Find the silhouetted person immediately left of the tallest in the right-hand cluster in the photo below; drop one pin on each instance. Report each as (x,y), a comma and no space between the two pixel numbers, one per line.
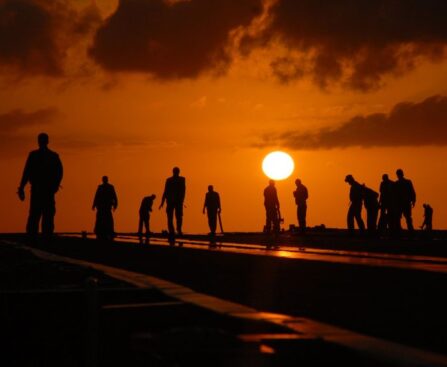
(387,202)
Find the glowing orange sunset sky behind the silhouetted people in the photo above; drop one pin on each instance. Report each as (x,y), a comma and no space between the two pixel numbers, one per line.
(135,125)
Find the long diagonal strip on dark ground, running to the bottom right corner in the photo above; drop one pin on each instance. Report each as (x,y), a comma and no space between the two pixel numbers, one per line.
(378,349)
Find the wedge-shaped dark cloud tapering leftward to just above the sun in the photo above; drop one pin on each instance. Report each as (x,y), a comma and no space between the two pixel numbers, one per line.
(408,124)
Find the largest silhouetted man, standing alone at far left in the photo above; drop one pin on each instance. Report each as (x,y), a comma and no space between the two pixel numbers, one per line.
(44,171)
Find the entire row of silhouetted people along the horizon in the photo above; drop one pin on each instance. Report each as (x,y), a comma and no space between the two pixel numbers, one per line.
(44,171)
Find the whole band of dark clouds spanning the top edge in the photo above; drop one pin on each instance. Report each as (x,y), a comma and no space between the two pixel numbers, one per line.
(356,44)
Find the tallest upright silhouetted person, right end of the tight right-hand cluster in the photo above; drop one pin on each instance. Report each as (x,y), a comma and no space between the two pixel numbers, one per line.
(406,199)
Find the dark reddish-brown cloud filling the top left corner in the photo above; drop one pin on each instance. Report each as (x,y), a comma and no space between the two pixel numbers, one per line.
(36,34)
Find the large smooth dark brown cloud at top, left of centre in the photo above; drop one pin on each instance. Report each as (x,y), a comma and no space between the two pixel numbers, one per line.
(176,39)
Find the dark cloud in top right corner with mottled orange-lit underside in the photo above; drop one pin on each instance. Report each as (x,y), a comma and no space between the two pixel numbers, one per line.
(354,42)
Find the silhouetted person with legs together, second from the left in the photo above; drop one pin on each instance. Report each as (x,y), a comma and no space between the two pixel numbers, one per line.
(105,200)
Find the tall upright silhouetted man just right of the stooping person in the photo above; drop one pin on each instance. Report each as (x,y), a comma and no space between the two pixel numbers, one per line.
(174,195)
